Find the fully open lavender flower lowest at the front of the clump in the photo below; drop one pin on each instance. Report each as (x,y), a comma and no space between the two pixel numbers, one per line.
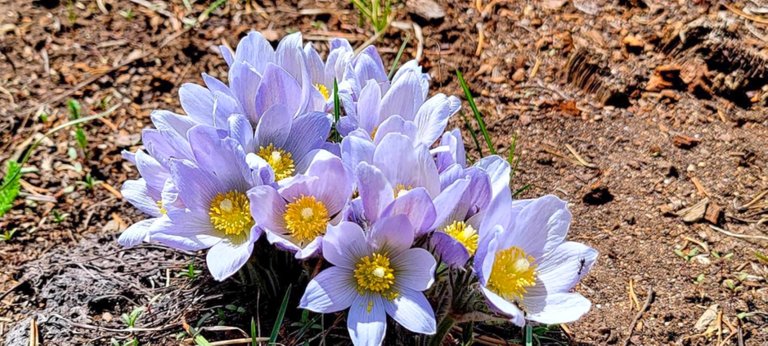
(374,274)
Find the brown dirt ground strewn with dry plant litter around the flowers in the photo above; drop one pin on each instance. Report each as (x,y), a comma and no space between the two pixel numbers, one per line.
(648,117)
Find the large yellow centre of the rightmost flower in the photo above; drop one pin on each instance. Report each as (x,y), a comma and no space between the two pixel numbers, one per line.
(513,271)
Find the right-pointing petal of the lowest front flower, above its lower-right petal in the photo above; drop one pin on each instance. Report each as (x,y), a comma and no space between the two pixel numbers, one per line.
(415,269)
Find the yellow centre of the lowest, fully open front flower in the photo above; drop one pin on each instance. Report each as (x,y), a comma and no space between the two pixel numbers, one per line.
(375,275)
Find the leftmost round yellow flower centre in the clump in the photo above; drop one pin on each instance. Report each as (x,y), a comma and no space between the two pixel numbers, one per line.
(231,213)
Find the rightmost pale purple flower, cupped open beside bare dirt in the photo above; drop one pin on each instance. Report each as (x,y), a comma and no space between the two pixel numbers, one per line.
(525,267)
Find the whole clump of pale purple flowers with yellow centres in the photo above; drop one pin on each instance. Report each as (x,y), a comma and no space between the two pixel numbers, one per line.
(379,196)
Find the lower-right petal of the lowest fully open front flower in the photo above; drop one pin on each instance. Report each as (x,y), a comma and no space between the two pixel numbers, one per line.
(412,310)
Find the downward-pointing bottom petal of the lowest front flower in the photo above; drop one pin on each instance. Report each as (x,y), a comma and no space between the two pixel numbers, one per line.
(367,320)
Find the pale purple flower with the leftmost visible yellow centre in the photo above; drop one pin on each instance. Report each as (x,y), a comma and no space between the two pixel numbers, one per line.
(217,210)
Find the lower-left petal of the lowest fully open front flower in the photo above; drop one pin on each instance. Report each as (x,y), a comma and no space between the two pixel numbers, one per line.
(330,291)
